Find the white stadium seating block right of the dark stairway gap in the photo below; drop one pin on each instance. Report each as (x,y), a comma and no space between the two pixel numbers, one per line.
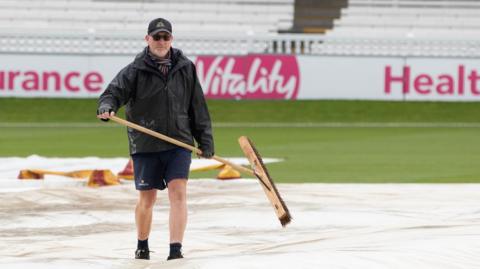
(405,27)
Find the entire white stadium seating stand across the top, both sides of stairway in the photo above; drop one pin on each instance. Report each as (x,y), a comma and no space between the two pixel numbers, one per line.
(363,27)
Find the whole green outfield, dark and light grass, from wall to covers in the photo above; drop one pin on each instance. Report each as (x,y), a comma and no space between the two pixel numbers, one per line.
(321,141)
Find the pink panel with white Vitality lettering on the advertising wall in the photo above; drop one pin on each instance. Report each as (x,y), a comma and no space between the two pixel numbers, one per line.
(249,77)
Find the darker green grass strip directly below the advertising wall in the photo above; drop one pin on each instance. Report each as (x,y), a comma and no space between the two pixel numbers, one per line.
(83,110)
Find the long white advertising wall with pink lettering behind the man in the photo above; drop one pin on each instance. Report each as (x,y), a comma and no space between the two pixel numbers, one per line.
(258,77)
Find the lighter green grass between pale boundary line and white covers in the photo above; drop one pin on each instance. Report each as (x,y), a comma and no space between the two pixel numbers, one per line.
(310,154)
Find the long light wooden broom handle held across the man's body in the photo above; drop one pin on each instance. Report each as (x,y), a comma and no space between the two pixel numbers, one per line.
(178,143)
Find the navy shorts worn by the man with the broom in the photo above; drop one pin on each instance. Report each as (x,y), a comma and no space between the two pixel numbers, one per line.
(153,170)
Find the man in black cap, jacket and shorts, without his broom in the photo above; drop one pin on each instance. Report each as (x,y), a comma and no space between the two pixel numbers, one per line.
(161,92)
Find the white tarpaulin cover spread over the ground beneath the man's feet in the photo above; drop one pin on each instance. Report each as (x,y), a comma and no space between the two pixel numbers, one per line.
(232,225)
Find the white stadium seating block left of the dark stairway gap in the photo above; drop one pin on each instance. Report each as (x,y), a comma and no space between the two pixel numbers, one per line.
(118,26)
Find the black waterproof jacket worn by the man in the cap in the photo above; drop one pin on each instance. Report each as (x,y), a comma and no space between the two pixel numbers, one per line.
(173,105)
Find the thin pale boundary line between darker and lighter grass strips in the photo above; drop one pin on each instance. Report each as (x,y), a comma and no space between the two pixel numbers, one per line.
(263,125)
